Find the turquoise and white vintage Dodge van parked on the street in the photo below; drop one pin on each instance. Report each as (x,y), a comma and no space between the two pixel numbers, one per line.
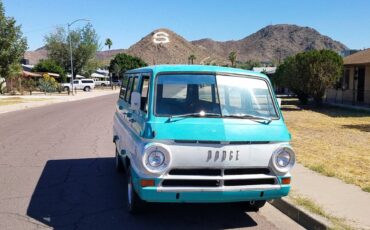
(190,133)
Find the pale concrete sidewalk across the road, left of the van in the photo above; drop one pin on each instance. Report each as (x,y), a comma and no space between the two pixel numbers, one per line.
(47,100)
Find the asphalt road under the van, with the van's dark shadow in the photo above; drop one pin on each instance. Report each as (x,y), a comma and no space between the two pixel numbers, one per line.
(57,171)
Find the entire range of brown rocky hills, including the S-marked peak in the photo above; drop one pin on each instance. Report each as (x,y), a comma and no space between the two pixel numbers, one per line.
(271,43)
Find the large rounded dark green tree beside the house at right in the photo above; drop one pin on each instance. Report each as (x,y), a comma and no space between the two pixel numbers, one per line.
(310,73)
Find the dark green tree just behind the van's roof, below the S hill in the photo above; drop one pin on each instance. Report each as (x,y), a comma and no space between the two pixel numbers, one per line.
(123,62)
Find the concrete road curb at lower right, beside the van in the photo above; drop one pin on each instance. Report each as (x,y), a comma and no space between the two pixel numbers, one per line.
(303,217)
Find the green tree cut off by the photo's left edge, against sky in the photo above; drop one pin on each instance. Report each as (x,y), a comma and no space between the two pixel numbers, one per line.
(12,43)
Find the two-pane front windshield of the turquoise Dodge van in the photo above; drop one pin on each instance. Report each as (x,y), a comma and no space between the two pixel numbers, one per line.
(227,96)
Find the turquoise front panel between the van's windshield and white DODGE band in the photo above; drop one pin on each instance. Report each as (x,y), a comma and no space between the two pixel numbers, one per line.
(213,129)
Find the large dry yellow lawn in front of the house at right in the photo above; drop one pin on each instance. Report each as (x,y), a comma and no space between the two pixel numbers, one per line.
(332,141)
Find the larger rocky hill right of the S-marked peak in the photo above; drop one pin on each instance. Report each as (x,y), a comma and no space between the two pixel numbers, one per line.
(273,43)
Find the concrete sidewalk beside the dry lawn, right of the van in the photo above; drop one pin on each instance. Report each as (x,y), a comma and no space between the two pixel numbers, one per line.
(334,196)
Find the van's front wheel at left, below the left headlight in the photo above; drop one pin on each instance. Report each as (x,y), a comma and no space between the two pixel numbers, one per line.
(134,203)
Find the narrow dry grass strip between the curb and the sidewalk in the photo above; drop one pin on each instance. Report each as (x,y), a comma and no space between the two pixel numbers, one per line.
(311,206)
